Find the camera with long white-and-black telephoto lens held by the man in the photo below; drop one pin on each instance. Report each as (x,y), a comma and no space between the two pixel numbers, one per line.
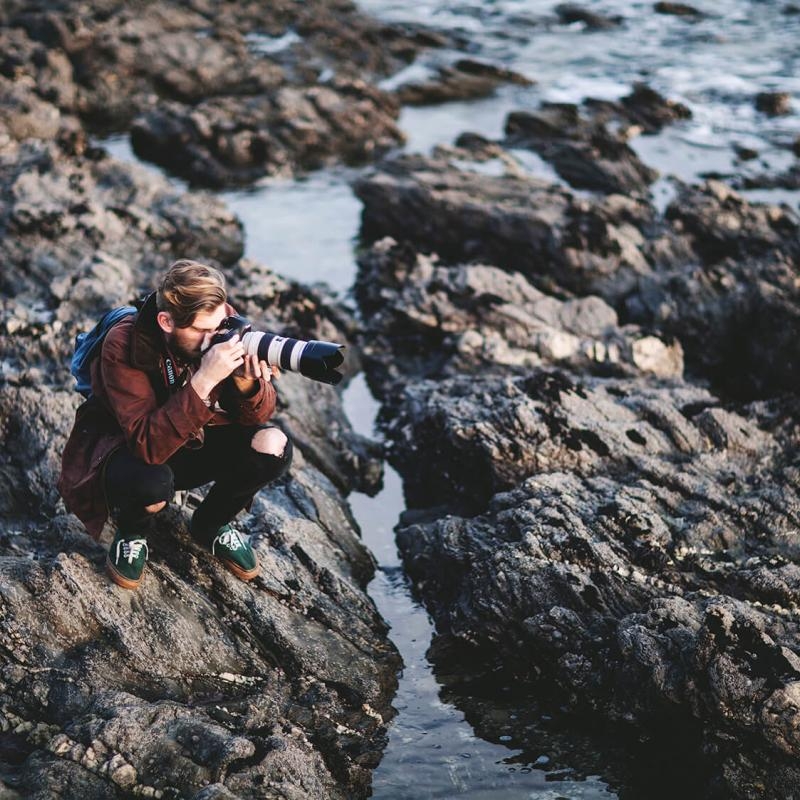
(316,360)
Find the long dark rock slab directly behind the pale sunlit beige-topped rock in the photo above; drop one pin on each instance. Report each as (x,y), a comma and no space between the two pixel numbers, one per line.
(514,222)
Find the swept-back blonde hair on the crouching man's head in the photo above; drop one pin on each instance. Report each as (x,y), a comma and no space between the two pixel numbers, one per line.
(188,288)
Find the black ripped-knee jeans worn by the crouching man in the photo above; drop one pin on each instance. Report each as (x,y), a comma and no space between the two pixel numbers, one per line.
(226,457)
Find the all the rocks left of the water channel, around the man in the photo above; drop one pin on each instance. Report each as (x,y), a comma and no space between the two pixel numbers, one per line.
(196,685)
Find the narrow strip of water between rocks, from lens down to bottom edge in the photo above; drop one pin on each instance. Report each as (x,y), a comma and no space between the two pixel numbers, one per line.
(433,752)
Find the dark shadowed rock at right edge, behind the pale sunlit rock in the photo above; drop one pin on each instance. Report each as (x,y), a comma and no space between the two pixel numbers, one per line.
(734,306)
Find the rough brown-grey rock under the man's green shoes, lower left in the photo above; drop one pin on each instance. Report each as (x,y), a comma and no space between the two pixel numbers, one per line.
(274,689)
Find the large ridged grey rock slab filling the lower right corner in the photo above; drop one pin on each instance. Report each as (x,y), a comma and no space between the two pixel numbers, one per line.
(635,594)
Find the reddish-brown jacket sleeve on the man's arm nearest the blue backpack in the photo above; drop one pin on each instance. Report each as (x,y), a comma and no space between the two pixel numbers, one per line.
(153,433)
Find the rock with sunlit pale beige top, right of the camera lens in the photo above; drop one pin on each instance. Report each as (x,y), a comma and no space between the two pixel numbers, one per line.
(430,320)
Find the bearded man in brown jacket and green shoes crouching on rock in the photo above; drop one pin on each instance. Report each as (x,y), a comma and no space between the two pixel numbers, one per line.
(168,412)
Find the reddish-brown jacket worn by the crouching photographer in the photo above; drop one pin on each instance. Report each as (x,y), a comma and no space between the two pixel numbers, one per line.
(139,402)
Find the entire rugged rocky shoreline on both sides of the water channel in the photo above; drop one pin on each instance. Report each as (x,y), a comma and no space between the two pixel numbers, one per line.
(592,402)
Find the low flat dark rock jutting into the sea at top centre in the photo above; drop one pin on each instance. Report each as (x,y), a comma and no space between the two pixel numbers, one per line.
(466,79)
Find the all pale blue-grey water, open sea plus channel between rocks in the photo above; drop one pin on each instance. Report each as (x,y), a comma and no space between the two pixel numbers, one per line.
(307,229)
